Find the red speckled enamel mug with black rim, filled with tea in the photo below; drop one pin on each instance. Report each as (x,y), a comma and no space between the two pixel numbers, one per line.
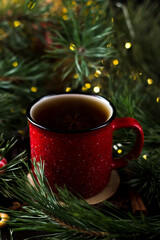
(80,159)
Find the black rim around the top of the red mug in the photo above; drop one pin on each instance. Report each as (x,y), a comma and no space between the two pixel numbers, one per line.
(31,120)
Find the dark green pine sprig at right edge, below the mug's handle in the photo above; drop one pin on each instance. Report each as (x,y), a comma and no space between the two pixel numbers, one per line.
(145,177)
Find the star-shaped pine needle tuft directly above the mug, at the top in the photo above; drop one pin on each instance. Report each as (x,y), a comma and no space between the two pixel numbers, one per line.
(80,43)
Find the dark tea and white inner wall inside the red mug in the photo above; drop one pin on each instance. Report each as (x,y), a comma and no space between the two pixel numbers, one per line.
(72,112)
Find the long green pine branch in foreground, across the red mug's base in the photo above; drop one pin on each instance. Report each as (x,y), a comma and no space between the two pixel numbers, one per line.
(65,216)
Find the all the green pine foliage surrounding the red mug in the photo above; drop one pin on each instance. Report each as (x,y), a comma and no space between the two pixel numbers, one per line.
(50,50)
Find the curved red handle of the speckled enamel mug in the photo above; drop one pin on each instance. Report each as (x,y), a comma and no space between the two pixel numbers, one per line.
(128,122)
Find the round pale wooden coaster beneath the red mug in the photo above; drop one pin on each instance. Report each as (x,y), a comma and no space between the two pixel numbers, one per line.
(106,193)
